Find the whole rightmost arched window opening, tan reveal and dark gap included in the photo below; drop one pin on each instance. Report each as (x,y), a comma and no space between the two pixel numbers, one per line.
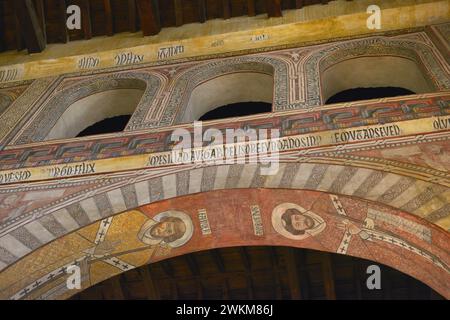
(372,77)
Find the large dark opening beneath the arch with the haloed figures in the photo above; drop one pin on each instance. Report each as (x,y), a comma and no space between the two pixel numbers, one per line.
(258,273)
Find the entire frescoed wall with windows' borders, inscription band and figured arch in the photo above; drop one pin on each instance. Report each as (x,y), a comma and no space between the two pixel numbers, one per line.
(367,178)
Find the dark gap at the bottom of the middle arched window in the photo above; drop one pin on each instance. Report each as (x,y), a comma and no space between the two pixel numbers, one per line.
(237,110)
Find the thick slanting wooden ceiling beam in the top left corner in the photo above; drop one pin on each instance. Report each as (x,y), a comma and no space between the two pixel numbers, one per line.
(30,26)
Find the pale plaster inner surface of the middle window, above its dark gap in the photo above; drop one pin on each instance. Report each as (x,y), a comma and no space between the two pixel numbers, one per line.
(228,89)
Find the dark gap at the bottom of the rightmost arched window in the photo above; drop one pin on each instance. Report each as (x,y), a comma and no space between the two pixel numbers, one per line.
(367,93)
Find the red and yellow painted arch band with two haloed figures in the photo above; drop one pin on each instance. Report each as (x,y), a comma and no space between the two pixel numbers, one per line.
(340,224)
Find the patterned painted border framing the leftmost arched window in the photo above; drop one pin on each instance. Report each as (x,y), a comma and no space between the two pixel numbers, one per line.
(39,127)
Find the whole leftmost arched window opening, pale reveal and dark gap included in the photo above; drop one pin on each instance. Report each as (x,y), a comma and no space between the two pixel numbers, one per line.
(95,108)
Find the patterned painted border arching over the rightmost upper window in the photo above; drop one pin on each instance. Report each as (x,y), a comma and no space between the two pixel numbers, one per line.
(420,56)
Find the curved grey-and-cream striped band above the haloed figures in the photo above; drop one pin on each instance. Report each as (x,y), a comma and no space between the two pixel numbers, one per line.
(422,198)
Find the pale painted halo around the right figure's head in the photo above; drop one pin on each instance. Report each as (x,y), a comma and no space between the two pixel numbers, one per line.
(278,223)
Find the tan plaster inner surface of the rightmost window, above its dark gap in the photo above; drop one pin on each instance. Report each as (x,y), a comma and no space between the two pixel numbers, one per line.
(366,72)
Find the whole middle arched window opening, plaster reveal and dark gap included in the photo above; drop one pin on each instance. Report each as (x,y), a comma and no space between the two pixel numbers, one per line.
(235,94)
